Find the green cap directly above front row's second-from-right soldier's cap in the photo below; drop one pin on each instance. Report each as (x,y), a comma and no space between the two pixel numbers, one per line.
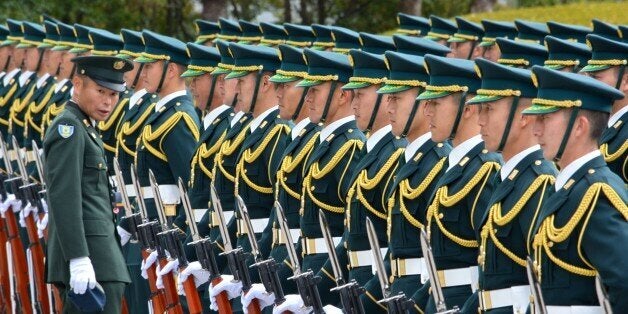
(520,54)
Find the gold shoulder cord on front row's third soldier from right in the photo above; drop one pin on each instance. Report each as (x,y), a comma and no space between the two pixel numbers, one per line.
(442,198)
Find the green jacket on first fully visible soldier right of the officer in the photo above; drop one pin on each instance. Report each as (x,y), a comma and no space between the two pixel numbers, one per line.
(166,146)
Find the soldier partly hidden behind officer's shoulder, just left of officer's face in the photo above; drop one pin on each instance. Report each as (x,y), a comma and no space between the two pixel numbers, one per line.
(54,106)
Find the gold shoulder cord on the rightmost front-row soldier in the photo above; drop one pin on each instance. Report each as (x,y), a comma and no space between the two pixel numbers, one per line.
(549,234)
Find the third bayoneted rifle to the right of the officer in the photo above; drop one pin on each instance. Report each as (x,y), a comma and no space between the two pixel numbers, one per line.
(170,287)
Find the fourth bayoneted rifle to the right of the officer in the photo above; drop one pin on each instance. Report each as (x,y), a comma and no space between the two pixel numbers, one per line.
(191,294)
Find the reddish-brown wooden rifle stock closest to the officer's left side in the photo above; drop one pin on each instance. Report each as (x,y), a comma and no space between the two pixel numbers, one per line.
(37,253)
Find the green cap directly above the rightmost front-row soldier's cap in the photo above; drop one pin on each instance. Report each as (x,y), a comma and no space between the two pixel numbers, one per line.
(566,55)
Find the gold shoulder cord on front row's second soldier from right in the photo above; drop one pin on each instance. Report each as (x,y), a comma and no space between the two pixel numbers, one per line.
(496,219)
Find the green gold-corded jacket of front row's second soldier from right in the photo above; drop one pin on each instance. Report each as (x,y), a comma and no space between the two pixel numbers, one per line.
(506,226)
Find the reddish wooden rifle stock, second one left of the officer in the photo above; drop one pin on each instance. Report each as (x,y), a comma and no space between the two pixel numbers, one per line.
(19,262)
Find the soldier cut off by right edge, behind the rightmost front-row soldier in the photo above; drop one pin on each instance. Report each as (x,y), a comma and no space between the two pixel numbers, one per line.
(608,64)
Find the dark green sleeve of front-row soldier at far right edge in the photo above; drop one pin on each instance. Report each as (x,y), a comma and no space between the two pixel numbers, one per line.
(604,245)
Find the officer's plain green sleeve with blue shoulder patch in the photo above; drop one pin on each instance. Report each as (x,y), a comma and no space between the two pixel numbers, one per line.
(64,171)
